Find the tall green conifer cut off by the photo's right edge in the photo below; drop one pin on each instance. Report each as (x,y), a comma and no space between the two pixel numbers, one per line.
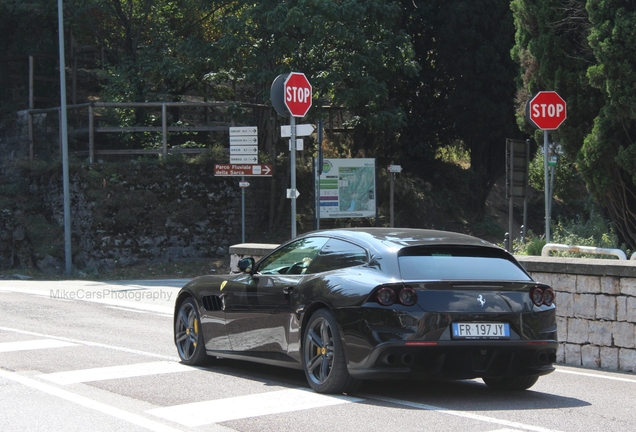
(608,156)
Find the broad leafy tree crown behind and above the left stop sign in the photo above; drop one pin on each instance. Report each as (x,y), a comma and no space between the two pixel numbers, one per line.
(352,52)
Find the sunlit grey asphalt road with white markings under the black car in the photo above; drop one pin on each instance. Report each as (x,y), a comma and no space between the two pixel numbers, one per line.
(92,356)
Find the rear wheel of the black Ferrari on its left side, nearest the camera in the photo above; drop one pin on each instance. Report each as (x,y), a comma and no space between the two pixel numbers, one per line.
(323,356)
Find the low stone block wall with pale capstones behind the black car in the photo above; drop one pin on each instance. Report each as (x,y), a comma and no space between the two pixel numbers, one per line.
(596,305)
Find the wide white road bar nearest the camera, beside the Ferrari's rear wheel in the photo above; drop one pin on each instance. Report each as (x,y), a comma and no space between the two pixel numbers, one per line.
(235,408)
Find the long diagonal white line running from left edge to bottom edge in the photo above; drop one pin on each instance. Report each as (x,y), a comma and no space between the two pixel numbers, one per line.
(88,403)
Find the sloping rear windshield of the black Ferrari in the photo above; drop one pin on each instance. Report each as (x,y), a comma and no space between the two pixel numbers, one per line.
(458,263)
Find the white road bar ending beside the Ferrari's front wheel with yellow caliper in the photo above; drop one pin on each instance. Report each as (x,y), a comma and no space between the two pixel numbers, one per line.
(116,372)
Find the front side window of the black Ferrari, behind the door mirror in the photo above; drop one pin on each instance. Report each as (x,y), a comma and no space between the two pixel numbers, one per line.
(293,258)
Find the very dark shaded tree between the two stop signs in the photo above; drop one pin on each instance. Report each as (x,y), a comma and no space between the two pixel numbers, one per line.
(465,92)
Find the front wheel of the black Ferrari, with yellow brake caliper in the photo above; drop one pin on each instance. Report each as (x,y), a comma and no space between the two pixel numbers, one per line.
(188,335)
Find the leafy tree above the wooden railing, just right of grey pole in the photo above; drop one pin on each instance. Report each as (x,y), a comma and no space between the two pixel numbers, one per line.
(152,46)
